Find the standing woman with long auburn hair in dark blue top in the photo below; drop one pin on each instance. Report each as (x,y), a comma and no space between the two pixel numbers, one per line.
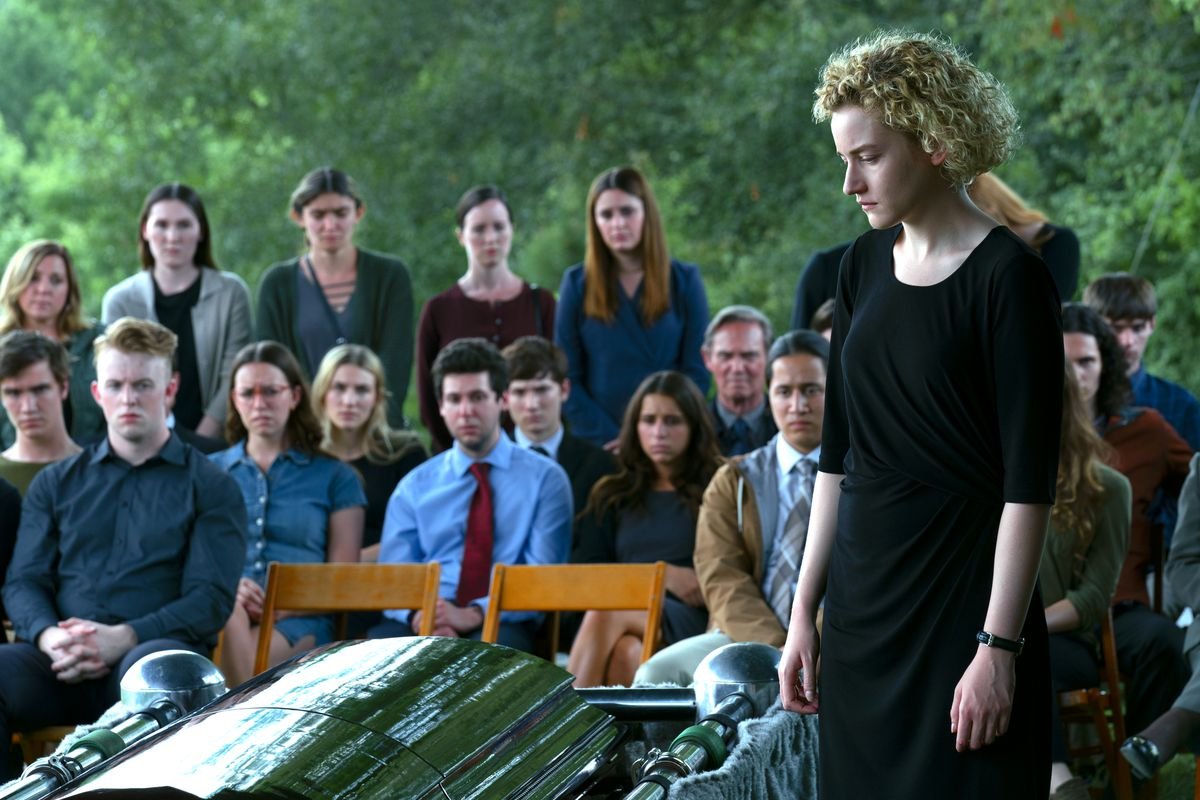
(628,310)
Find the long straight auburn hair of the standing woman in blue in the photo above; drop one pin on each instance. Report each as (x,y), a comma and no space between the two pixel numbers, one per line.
(599,266)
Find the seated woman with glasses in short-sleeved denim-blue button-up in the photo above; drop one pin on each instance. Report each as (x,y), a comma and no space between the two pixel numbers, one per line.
(303,507)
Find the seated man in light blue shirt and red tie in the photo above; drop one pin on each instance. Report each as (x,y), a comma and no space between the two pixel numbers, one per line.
(520,498)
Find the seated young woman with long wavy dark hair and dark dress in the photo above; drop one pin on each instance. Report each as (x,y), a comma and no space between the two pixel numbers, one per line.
(647,513)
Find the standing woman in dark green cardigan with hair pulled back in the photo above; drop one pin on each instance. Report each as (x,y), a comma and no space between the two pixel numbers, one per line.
(337,293)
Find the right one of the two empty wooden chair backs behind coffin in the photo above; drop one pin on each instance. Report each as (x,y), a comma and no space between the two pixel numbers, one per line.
(578,588)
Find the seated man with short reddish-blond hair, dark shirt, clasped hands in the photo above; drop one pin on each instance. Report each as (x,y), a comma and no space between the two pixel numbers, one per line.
(133,546)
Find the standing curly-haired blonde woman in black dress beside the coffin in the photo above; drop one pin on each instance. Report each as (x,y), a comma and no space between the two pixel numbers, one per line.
(939,455)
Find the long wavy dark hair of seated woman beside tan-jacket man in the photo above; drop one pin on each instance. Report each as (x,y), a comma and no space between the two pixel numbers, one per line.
(635,477)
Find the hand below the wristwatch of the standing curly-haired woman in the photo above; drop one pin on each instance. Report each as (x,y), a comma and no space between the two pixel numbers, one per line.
(983,700)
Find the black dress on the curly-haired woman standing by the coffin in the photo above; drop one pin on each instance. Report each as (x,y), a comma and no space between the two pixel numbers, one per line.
(944,404)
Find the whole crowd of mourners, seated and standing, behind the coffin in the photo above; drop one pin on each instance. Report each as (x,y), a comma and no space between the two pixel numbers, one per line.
(158,464)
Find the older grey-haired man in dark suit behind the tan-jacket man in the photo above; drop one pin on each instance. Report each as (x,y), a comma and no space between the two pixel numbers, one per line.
(735,351)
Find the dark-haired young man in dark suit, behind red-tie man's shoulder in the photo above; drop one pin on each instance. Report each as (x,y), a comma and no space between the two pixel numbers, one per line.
(538,387)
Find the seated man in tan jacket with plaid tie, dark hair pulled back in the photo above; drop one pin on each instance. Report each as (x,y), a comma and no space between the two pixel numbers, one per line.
(754,518)
